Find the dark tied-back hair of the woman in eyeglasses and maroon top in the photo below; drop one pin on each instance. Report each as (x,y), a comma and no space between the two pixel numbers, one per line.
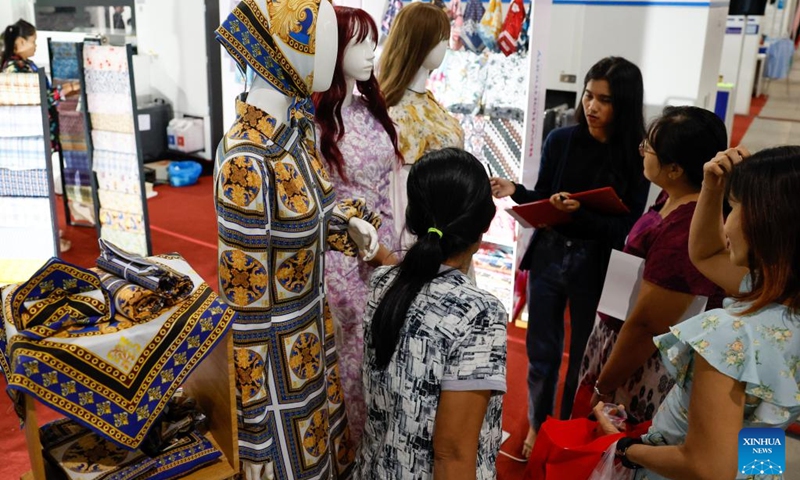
(688,137)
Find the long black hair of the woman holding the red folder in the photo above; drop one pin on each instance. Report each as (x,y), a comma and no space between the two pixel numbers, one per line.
(627,130)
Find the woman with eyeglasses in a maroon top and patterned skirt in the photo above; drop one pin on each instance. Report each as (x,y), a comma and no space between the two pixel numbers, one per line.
(621,363)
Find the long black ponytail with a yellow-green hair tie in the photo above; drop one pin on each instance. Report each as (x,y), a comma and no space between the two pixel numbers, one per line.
(448,190)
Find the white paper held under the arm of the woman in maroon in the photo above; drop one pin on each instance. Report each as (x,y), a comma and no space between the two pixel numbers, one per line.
(621,288)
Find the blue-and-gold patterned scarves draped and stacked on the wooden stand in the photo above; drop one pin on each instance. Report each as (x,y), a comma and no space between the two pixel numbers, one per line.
(110,360)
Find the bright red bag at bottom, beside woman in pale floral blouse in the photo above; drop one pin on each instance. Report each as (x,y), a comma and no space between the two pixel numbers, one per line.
(570,449)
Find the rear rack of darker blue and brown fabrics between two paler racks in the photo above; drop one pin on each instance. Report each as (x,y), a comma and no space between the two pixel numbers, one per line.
(76,171)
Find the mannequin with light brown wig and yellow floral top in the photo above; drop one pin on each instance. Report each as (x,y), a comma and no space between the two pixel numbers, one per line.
(416,45)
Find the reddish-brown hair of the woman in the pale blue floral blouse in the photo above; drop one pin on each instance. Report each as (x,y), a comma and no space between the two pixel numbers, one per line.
(766,185)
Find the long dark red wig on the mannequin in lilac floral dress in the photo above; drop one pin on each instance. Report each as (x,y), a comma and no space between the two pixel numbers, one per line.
(358,24)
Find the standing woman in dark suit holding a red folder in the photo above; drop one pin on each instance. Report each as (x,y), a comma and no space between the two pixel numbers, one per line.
(568,262)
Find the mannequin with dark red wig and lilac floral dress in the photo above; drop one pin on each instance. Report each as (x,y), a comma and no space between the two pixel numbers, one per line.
(358,141)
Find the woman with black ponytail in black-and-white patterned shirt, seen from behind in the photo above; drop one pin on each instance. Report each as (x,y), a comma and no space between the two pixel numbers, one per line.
(435,344)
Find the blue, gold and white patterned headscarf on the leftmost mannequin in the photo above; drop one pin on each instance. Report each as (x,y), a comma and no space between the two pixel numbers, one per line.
(279,48)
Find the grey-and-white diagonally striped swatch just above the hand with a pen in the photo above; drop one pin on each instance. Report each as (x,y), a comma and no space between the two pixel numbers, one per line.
(503,147)
